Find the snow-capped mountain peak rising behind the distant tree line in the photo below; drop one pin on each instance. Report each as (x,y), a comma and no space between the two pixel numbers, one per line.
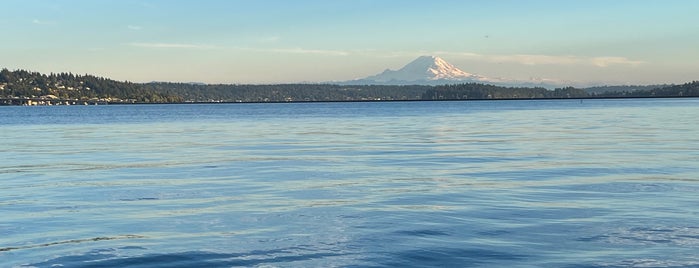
(423,70)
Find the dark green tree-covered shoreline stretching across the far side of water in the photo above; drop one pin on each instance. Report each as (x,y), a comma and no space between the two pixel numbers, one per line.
(21,87)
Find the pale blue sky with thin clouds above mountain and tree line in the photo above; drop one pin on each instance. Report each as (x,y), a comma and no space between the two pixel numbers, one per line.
(579,42)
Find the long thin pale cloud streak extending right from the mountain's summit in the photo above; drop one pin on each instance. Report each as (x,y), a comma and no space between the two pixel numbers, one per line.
(538,59)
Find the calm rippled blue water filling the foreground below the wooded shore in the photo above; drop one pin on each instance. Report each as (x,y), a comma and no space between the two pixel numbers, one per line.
(599,183)
